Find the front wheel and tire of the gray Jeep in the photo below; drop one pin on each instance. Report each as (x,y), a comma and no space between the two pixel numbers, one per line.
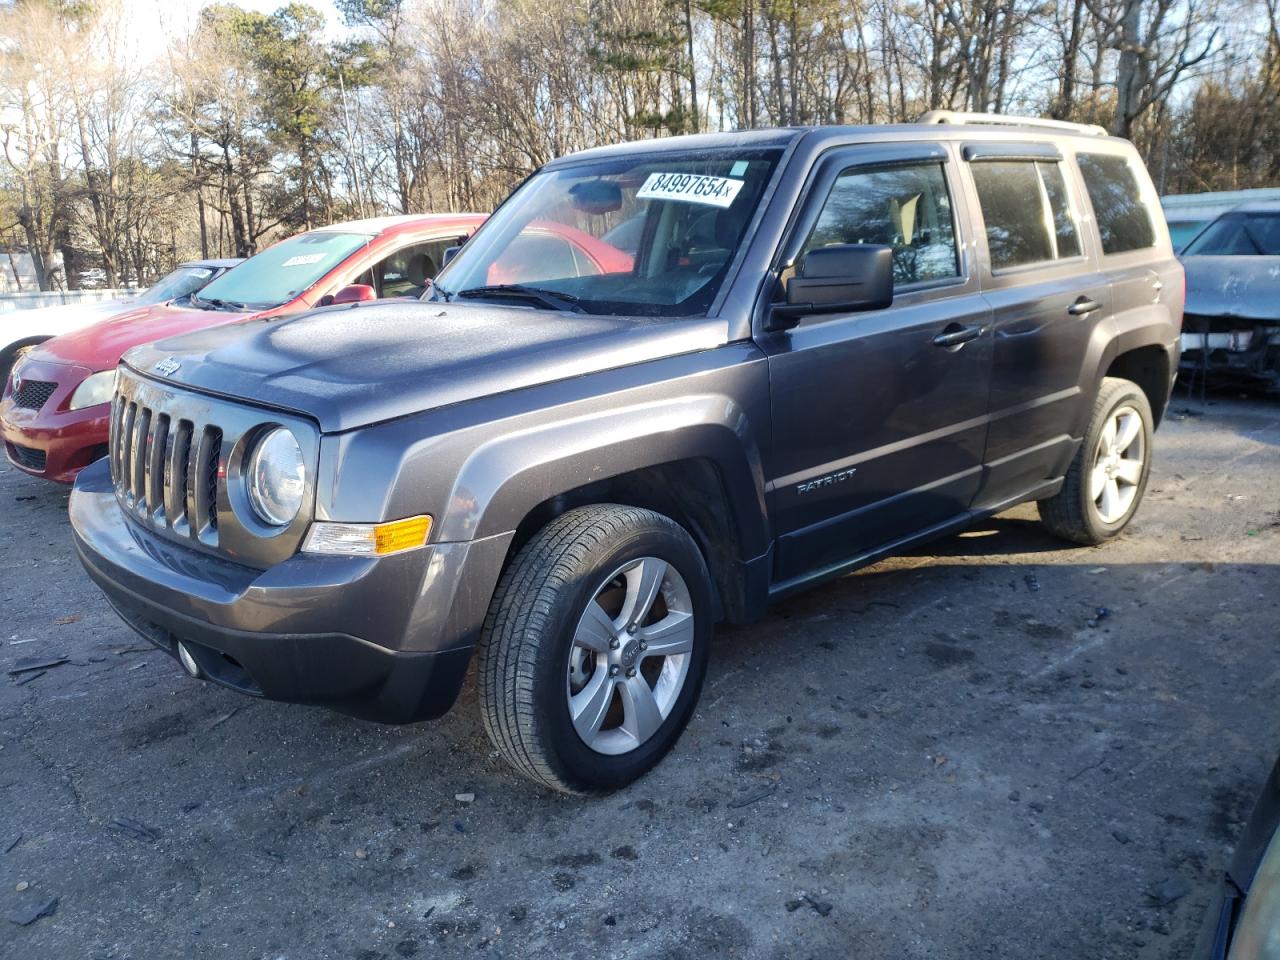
(546,651)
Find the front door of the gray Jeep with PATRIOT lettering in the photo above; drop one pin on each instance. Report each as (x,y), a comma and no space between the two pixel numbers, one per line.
(879,429)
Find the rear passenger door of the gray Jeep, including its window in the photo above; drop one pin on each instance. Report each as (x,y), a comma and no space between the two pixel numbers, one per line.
(1041,276)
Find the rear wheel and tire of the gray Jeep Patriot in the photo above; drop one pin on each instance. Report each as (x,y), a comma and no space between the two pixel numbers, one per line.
(1084,511)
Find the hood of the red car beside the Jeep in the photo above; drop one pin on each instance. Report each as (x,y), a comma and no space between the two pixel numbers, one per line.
(100,346)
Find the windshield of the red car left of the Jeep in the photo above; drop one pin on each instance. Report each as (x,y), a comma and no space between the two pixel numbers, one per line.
(281,273)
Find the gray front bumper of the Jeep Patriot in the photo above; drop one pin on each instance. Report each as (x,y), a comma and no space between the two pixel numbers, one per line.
(336,632)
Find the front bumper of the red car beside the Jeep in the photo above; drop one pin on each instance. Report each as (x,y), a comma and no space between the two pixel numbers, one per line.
(54,444)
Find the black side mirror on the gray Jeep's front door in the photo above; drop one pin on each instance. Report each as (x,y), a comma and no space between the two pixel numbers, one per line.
(844,278)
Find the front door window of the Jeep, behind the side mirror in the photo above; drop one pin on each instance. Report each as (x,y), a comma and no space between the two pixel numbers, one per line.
(907,208)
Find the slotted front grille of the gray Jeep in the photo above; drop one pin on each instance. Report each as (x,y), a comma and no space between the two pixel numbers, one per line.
(166,469)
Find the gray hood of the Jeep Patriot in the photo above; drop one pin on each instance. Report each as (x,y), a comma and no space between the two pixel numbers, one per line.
(351,367)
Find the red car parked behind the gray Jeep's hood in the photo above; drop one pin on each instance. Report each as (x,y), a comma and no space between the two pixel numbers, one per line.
(57,401)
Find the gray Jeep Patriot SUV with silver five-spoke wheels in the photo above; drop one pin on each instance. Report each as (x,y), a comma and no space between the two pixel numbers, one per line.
(665,385)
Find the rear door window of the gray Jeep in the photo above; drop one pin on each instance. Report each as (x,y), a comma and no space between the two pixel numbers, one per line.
(1026,211)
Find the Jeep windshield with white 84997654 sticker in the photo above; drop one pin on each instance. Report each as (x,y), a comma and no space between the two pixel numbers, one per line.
(650,235)
